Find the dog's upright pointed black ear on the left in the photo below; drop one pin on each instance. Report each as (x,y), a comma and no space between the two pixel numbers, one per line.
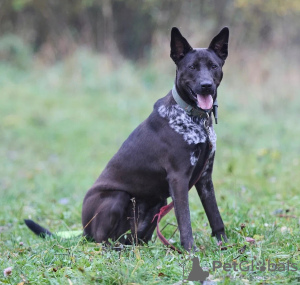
(179,45)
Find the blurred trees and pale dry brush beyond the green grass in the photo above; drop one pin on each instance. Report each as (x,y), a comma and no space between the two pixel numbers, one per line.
(264,42)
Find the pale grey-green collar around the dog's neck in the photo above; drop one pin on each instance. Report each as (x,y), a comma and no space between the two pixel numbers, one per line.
(190,110)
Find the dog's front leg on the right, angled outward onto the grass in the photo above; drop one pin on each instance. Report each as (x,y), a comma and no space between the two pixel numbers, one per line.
(205,189)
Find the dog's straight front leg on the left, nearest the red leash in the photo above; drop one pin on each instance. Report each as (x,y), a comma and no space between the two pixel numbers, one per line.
(179,194)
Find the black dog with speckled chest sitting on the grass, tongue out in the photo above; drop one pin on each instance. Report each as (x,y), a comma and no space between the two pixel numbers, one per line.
(172,150)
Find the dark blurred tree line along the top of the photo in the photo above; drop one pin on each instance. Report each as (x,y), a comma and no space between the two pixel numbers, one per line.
(53,28)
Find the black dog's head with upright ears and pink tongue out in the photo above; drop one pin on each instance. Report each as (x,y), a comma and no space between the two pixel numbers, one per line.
(199,70)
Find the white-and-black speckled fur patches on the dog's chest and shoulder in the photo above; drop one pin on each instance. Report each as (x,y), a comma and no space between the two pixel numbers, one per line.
(191,128)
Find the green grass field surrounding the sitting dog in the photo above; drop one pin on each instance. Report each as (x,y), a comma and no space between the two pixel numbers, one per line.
(59,127)
